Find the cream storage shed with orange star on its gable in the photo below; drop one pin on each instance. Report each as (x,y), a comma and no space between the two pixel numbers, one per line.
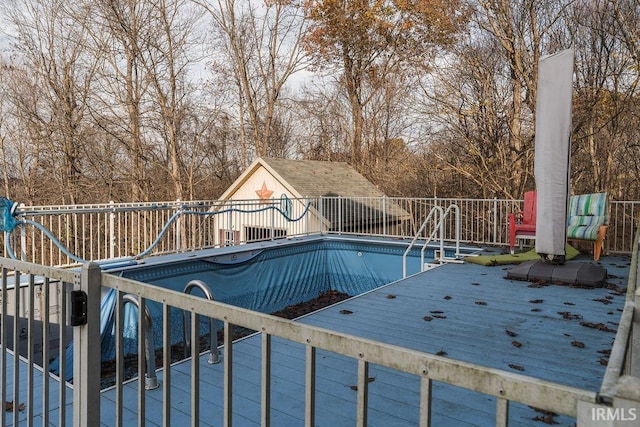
(309,196)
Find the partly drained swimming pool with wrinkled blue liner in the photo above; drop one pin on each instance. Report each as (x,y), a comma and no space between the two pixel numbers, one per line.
(263,276)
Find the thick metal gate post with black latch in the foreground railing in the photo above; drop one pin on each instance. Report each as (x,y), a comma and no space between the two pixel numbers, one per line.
(86,350)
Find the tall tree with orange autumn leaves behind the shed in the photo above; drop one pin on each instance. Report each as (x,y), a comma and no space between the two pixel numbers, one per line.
(370,41)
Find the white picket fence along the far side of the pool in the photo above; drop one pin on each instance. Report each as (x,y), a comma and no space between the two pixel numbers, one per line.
(116,230)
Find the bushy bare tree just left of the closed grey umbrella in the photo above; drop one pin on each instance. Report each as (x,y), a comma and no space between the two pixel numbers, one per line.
(469,99)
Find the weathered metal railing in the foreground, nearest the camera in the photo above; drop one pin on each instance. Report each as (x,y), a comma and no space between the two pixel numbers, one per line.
(52,398)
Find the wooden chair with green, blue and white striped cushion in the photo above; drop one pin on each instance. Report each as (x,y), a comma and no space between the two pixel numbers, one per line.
(589,219)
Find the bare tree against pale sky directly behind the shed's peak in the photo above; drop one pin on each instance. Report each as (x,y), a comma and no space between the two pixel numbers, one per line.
(262,45)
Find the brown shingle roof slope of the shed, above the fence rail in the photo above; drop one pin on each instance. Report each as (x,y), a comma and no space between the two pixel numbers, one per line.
(319,178)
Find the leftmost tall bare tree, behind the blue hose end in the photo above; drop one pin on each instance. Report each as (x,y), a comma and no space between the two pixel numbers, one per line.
(51,45)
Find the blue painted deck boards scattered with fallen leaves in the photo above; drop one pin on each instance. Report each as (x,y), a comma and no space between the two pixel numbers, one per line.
(470,332)
